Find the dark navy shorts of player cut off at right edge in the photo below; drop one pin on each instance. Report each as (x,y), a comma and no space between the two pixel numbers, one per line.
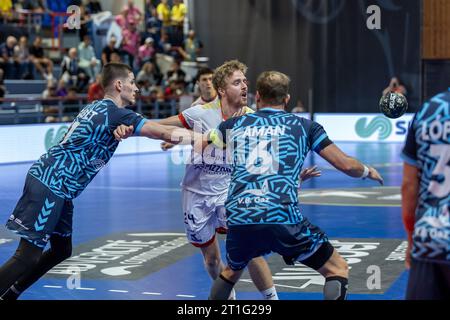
(428,281)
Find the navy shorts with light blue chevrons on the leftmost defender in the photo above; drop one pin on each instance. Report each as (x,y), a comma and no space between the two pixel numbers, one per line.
(40,213)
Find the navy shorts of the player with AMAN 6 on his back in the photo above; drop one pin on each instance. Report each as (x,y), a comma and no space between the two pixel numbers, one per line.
(303,242)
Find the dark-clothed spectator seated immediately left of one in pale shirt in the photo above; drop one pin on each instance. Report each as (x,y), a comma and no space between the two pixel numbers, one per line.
(72,73)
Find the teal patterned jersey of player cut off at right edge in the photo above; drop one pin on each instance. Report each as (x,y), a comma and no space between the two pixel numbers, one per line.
(428,148)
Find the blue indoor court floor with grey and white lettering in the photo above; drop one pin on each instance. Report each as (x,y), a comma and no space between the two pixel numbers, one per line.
(129,238)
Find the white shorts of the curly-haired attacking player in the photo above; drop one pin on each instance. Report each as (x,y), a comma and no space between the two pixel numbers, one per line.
(203,217)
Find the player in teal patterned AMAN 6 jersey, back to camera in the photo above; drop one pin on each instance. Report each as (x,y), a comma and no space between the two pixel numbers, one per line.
(267,150)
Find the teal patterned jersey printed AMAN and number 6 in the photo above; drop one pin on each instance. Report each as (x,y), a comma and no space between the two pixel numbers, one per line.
(266,150)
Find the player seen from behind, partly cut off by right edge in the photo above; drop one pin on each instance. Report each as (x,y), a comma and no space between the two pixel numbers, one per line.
(426,199)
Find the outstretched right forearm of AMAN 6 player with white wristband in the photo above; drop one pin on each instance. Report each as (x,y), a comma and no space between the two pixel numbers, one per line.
(347,164)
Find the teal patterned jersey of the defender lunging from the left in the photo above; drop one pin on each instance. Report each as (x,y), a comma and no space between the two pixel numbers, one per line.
(68,167)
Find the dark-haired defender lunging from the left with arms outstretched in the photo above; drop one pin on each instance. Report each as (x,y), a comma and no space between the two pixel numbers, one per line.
(44,212)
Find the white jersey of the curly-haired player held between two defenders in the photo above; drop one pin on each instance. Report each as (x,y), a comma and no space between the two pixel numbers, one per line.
(209,175)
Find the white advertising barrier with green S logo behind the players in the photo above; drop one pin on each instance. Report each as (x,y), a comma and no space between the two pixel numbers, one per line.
(21,143)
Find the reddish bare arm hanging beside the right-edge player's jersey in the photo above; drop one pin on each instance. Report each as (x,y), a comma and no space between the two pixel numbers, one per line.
(410,193)
